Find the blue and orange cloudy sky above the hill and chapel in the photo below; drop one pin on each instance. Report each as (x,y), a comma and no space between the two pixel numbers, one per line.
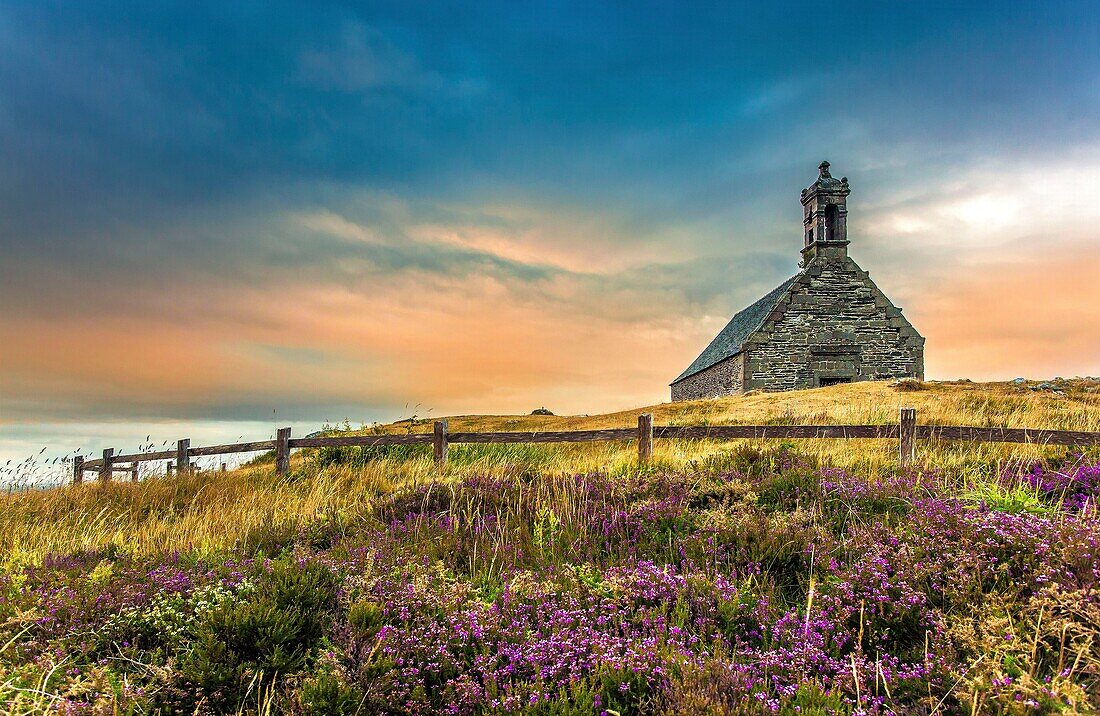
(221,217)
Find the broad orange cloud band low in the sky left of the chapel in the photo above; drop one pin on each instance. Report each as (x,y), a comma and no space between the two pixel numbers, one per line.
(455,345)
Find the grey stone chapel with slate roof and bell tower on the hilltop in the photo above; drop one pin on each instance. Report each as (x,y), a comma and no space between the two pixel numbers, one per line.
(830,324)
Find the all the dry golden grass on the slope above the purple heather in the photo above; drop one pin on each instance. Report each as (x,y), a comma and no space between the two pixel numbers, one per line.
(212,513)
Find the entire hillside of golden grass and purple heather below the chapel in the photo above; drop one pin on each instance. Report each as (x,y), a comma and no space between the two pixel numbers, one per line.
(727,578)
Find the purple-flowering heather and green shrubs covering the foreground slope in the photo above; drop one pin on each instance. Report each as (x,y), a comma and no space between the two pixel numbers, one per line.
(784,591)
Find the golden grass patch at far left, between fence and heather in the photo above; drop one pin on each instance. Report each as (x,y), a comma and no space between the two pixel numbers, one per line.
(205,513)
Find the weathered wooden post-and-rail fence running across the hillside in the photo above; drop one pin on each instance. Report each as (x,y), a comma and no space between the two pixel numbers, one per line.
(906,432)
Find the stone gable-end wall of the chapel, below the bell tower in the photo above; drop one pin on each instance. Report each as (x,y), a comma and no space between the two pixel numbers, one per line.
(835,325)
